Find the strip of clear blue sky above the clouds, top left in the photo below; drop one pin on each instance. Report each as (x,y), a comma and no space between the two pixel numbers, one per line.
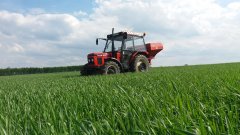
(59,6)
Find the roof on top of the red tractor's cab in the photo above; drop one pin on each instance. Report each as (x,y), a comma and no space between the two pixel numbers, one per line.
(125,35)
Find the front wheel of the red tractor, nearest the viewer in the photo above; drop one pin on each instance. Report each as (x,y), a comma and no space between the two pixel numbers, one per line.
(111,67)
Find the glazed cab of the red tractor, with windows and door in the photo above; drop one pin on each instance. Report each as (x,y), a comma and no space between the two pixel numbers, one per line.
(122,45)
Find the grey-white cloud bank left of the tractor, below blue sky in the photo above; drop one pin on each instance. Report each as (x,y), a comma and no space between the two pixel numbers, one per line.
(48,39)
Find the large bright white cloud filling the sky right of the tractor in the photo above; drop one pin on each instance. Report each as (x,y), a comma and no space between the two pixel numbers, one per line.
(199,31)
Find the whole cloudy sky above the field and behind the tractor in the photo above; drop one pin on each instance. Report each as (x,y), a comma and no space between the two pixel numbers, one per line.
(50,33)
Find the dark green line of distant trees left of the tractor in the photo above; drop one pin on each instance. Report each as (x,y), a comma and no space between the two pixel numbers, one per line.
(22,71)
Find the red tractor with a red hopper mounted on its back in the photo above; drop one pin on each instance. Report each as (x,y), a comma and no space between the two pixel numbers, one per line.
(123,52)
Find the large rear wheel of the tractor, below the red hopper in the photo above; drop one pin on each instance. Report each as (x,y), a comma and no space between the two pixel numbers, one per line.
(140,64)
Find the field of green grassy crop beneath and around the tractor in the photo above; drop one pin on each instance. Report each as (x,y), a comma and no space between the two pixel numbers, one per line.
(201,99)
